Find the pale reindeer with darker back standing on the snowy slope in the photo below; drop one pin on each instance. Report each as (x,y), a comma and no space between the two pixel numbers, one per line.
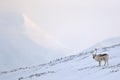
(101,57)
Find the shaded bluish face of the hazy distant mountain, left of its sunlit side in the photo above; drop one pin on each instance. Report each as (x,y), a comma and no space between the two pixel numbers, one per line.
(16,48)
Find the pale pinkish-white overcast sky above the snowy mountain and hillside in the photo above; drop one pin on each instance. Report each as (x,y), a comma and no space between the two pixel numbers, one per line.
(76,24)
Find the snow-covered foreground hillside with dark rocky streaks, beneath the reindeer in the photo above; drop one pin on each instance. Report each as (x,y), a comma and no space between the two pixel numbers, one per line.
(75,67)
